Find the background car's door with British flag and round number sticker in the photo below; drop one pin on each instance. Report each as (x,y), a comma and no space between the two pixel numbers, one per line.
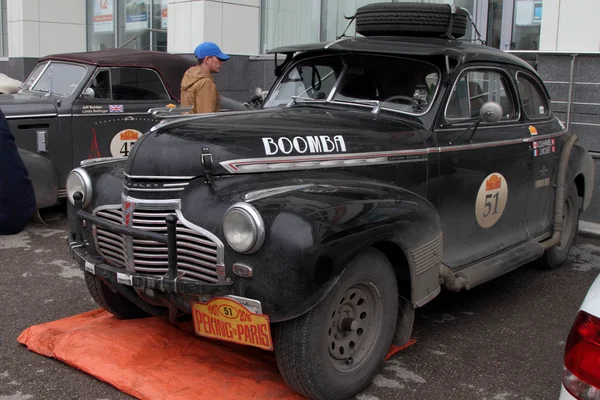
(113,114)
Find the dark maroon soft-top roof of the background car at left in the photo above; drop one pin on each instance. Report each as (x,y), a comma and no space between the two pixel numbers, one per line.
(170,67)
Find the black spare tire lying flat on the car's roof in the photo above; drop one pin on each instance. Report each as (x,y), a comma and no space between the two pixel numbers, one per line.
(399,19)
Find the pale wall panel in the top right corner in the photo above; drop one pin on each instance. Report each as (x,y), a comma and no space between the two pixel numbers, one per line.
(570,25)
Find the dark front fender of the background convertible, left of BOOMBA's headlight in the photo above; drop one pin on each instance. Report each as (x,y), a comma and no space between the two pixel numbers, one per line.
(43,178)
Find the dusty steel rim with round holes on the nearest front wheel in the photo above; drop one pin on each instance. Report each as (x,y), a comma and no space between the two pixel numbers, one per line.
(354,324)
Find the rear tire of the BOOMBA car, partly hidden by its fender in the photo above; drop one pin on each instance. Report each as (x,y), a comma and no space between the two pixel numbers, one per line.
(557,255)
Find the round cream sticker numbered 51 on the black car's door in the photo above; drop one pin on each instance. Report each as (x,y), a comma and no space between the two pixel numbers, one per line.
(491,200)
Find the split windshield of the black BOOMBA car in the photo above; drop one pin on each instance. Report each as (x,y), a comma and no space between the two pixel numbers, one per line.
(398,84)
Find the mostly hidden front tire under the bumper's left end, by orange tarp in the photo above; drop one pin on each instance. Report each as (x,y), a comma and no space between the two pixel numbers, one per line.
(111,301)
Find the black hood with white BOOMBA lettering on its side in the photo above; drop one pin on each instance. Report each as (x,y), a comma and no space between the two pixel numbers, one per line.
(248,141)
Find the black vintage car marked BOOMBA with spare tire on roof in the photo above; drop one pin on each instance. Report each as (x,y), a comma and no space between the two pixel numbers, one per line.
(381,169)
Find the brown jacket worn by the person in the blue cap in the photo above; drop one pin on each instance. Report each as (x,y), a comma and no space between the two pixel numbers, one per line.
(198,89)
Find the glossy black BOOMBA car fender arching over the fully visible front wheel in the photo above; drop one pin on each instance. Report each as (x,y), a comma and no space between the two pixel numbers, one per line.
(313,230)
